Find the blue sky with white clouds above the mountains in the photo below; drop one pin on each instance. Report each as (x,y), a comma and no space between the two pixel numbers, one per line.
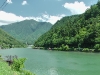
(41,10)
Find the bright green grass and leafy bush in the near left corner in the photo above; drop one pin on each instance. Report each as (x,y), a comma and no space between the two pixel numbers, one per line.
(17,68)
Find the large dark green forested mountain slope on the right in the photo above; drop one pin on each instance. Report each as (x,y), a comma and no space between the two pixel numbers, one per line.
(76,31)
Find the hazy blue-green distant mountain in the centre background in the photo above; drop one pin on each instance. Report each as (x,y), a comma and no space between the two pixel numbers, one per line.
(27,31)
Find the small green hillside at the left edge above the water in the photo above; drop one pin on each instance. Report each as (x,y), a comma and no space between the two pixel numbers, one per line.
(6,41)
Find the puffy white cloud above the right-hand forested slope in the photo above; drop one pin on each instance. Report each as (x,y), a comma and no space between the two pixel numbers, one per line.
(76,7)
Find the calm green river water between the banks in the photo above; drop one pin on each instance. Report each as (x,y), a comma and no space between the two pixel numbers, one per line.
(43,62)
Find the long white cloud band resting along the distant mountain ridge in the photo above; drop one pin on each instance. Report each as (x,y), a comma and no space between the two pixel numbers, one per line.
(8,18)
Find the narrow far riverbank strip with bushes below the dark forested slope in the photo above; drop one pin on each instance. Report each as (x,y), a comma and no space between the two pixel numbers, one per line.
(66,48)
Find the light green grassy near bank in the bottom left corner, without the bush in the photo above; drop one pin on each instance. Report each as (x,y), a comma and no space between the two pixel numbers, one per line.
(5,69)
